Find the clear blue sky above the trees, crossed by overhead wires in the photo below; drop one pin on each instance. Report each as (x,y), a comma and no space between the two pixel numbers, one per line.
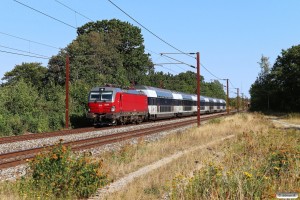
(230,35)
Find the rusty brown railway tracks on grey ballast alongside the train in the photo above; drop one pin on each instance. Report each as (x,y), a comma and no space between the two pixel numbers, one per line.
(12,159)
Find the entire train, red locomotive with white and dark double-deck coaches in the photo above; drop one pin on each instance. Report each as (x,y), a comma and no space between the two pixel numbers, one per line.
(109,105)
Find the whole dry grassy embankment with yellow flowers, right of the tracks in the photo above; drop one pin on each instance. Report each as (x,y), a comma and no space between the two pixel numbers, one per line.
(258,162)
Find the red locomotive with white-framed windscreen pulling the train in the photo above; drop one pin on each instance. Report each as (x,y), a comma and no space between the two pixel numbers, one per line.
(110,105)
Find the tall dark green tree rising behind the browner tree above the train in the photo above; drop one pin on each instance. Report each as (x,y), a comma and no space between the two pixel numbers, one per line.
(131,47)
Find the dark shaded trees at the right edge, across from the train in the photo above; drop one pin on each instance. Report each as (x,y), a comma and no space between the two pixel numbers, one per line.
(278,88)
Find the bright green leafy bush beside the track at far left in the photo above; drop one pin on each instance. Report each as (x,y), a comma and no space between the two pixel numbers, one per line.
(23,109)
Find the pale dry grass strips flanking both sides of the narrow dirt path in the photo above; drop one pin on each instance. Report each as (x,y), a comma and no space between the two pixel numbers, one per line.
(155,184)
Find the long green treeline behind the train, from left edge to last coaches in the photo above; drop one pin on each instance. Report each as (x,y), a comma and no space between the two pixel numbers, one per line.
(32,97)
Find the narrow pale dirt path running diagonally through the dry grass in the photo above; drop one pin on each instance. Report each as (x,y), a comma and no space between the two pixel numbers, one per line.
(121,183)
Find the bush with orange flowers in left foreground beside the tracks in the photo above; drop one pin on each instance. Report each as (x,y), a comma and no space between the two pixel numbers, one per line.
(60,174)
